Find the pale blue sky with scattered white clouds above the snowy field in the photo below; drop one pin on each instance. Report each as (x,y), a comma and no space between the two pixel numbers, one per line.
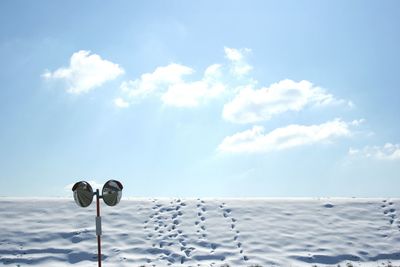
(205,98)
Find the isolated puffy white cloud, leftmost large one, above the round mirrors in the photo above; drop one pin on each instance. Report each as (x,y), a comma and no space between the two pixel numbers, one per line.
(85,72)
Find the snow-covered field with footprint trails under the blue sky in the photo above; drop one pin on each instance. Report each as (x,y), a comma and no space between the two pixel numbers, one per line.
(203,232)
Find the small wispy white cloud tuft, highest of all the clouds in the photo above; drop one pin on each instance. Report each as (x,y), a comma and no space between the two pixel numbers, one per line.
(239,66)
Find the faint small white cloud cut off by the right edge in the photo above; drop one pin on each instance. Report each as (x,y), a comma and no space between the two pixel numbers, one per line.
(386,152)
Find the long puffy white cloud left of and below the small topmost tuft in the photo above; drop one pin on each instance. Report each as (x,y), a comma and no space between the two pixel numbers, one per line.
(169,84)
